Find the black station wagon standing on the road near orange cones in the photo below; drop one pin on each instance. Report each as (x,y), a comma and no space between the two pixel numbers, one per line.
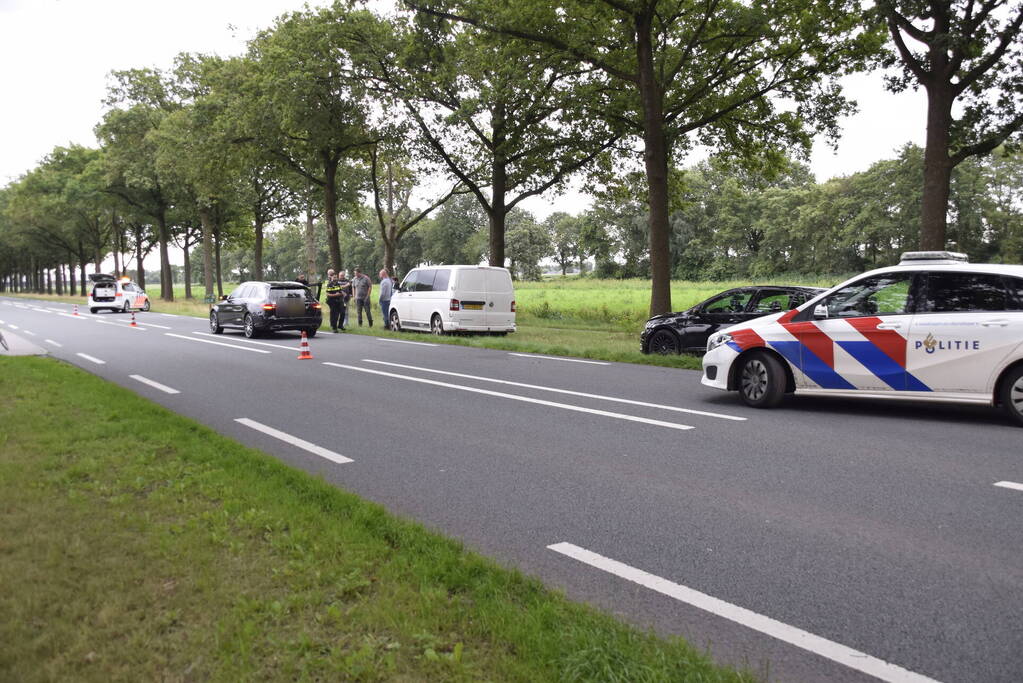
(266,307)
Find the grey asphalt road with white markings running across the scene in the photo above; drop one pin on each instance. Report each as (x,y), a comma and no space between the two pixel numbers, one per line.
(825,540)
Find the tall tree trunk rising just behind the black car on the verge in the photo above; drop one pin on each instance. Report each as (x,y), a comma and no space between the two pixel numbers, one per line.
(656,161)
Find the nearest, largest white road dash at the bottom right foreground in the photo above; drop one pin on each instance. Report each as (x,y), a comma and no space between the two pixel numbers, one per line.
(790,634)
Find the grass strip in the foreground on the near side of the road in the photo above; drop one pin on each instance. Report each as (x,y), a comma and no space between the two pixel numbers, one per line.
(141,545)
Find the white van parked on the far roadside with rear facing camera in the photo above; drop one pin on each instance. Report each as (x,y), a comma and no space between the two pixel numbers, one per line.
(455,299)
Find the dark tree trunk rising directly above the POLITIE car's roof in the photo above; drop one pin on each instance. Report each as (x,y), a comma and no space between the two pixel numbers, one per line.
(938,168)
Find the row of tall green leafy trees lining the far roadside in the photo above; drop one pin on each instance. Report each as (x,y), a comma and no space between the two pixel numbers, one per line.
(499,103)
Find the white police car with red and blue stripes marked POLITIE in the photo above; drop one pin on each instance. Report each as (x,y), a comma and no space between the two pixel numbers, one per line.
(935,328)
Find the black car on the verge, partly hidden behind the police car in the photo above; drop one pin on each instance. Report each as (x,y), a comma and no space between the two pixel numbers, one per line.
(687,332)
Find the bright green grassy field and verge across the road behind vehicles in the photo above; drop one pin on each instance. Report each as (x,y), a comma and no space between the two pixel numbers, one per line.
(582,317)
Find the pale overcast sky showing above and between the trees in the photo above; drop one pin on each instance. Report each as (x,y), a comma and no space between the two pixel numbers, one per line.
(57,56)
